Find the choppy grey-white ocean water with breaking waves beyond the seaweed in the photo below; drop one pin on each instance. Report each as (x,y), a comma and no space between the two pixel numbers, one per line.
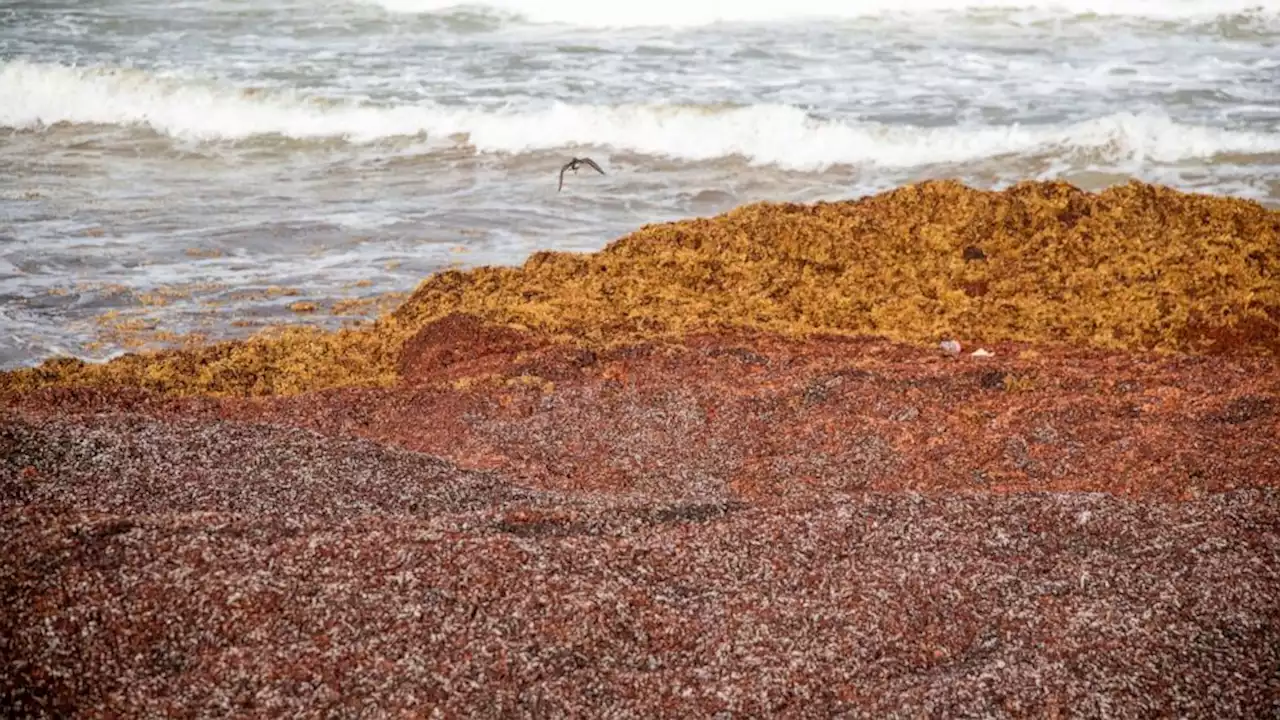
(205,166)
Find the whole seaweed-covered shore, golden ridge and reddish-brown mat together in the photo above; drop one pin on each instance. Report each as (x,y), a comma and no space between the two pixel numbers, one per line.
(720,467)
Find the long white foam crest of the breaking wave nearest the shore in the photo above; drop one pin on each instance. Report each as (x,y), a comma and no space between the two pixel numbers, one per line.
(778,135)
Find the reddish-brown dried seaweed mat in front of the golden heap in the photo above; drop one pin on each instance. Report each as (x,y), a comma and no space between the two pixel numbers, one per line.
(744,525)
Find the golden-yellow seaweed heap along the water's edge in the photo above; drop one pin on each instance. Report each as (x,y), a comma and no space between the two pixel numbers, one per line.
(1136,267)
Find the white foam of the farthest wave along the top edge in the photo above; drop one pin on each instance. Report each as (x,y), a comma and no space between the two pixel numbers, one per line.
(703,12)
